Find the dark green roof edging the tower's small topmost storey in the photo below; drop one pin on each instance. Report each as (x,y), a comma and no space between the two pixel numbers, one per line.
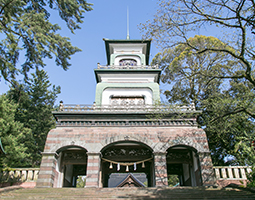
(108,42)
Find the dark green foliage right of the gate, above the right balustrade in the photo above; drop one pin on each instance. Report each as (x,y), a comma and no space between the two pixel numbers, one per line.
(227,125)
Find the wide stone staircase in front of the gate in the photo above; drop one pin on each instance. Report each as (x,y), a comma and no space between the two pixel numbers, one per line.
(207,193)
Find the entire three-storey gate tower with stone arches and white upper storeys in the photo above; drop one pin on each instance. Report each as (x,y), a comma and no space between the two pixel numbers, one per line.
(126,129)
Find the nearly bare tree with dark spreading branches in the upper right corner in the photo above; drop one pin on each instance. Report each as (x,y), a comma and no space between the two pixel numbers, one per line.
(177,20)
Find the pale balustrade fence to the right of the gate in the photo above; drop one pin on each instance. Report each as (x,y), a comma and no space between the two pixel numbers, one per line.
(231,172)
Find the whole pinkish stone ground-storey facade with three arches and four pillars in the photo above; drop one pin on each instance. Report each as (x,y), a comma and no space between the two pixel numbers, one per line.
(95,138)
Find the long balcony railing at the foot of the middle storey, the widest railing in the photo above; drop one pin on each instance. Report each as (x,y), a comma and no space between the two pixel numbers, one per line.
(126,108)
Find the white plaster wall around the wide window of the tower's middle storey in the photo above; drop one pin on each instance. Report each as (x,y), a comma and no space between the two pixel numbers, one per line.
(127,92)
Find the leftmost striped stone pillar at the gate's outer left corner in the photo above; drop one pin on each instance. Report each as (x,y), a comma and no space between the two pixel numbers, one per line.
(47,172)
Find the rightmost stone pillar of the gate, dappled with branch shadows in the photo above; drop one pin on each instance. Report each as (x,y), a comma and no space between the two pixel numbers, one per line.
(206,166)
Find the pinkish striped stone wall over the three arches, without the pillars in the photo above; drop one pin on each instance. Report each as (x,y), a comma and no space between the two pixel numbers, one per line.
(158,139)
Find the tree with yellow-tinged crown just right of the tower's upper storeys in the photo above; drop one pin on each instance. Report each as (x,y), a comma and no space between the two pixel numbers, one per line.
(185,70)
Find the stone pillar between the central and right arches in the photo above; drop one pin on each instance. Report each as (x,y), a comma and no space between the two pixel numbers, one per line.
(160,169)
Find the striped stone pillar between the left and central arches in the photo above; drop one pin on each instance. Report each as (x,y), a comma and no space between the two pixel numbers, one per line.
(93,170)
